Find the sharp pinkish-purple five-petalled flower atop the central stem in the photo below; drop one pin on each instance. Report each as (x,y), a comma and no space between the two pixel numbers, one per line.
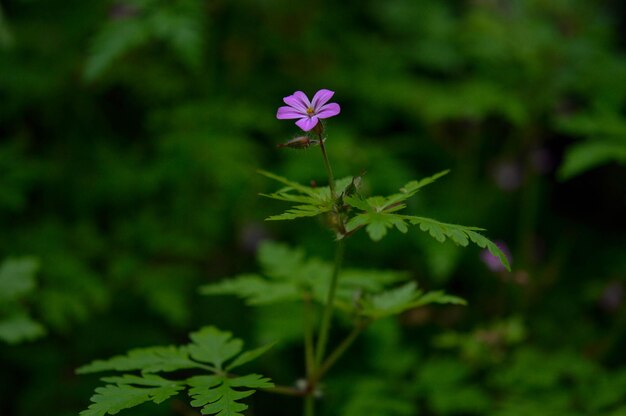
(308,112)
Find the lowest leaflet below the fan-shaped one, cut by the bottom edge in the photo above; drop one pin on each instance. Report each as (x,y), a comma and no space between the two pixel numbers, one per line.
(217,395)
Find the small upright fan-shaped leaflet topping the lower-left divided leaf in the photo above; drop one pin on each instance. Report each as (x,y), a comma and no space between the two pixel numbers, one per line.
(212,346)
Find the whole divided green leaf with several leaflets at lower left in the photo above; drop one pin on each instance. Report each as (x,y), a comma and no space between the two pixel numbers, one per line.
(218,393)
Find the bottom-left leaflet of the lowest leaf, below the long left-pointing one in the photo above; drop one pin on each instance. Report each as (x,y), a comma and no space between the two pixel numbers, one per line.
(112,399)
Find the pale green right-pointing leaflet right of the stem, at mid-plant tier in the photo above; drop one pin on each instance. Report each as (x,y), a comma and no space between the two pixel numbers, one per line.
(400,299)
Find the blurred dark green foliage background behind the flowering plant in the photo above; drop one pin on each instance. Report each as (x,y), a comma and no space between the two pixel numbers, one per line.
(130,135)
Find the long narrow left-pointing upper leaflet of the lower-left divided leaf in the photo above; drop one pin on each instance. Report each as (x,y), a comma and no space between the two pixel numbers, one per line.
(148,360)
